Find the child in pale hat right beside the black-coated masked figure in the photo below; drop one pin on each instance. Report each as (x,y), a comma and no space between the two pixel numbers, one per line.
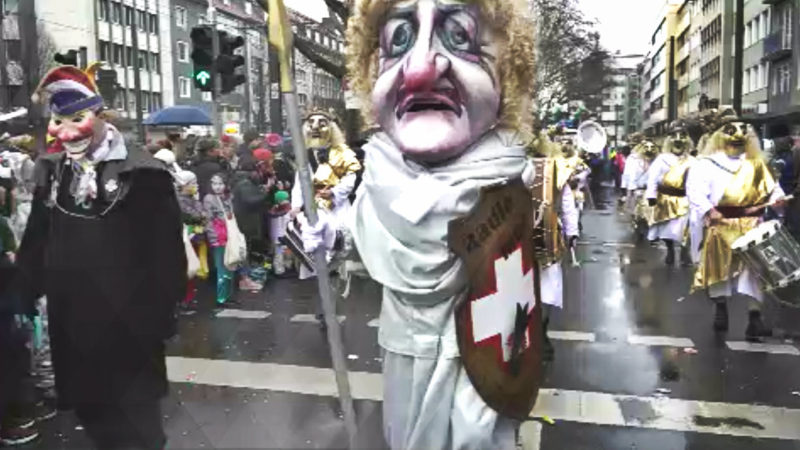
(194,219)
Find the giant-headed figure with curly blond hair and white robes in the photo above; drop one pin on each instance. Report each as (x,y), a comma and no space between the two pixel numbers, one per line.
(447,82)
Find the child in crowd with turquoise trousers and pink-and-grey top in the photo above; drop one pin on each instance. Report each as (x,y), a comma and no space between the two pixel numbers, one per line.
(219,207)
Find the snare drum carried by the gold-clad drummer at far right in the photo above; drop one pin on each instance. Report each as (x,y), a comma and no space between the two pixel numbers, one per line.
(774,256)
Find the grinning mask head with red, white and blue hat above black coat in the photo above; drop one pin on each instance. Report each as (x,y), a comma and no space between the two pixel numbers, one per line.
(74,107)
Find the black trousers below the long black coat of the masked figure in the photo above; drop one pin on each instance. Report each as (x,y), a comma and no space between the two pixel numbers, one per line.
(123,426)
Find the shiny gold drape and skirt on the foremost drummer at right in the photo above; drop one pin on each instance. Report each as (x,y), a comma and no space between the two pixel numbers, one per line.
(751,186)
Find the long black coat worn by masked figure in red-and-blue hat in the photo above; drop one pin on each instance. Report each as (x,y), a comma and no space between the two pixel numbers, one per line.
(113,273)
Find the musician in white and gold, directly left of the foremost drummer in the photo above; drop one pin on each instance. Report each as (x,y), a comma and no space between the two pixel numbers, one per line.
(666,192)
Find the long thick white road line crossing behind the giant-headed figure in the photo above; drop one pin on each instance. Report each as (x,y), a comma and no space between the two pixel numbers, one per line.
(573,406)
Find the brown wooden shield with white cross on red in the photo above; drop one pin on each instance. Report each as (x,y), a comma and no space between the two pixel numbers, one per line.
(499,324)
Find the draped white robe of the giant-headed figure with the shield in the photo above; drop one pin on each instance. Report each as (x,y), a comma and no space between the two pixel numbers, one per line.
(401,218)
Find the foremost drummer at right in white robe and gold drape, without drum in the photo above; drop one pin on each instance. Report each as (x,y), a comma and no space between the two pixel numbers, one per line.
(728,189)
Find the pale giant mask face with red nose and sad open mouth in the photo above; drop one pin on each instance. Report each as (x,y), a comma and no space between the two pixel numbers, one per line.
(437,89)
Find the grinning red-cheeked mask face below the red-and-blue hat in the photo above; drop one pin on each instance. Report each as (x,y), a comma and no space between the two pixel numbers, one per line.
(77,132)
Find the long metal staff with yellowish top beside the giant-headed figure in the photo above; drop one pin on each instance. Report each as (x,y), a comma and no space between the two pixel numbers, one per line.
(280,37)
